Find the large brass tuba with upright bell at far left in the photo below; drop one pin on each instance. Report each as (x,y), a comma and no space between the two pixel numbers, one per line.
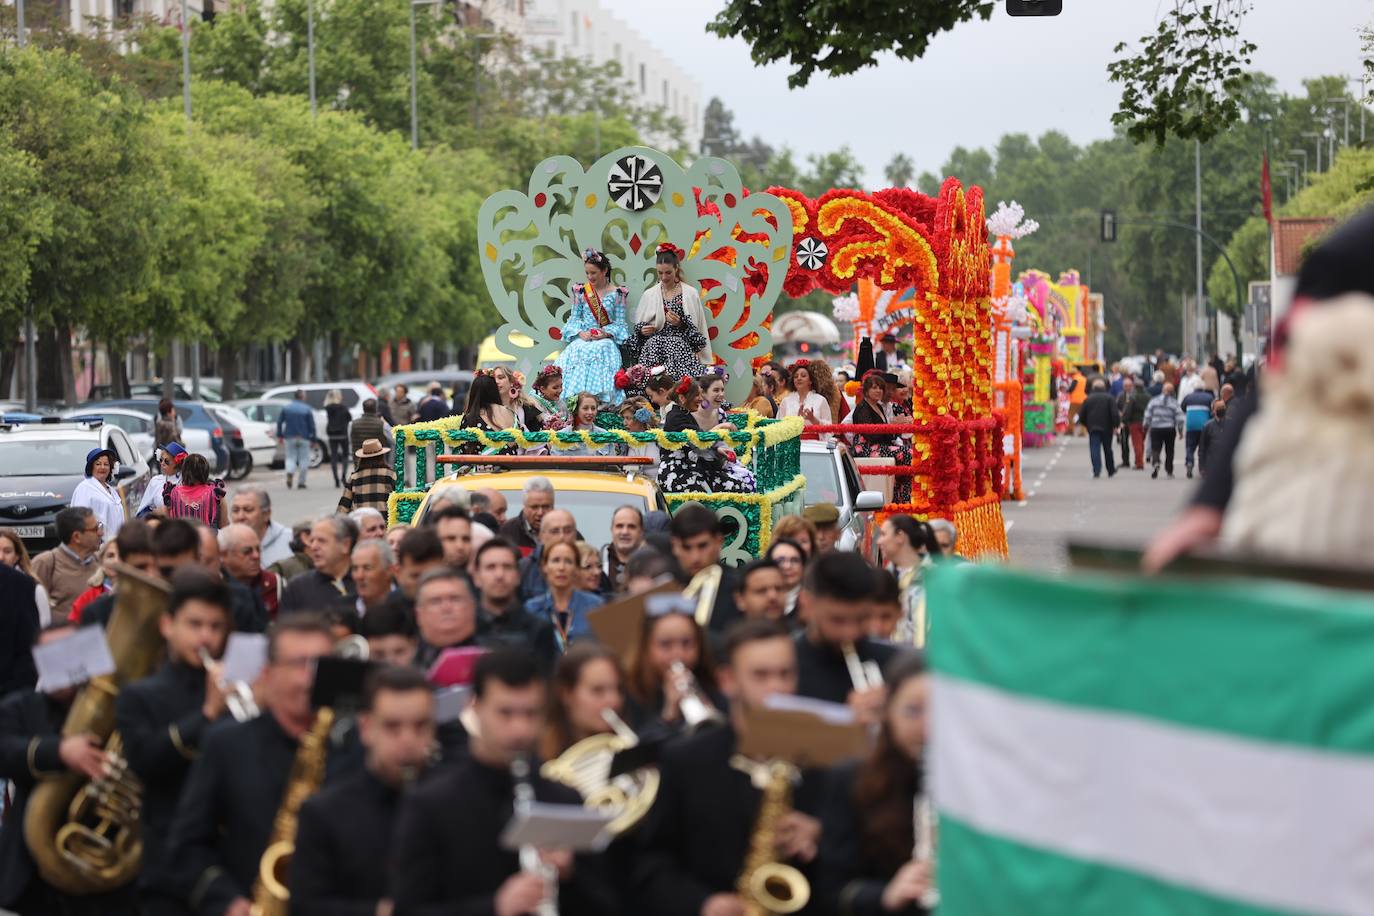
(85,834)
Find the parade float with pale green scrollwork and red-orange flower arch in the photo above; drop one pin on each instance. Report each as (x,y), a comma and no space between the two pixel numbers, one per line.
(743,251)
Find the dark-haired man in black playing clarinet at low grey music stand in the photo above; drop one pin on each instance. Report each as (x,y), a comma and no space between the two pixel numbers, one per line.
(449,837)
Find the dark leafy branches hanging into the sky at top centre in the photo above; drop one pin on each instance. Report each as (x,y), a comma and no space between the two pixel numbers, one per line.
(836,36)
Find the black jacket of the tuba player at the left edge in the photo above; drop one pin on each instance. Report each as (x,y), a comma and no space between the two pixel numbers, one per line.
(30,738)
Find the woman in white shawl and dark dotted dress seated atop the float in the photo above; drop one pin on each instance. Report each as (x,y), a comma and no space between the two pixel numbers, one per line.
(671,323)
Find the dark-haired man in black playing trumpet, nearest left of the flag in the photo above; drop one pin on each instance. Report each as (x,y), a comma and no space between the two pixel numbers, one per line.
(833,652)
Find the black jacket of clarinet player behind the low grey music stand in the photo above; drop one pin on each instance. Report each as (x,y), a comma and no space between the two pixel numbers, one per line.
(449,849)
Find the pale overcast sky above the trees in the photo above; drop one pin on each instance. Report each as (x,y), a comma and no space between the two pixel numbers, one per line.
(980,80)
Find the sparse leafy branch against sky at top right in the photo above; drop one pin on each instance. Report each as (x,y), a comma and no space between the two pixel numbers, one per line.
(1189,76)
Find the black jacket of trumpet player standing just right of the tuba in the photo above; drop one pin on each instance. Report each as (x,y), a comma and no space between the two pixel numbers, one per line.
(163,726)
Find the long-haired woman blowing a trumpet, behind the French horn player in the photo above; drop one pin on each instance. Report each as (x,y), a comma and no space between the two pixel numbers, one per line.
(653,687)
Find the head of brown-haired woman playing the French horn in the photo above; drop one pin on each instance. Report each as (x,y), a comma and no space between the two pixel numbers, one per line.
(586,683)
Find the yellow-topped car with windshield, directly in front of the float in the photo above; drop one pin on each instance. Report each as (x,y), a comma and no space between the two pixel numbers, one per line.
(593,496)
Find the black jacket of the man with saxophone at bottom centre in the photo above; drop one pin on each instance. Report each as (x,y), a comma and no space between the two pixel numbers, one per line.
(697,836)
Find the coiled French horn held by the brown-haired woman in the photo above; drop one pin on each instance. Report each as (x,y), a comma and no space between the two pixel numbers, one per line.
(586,767)
